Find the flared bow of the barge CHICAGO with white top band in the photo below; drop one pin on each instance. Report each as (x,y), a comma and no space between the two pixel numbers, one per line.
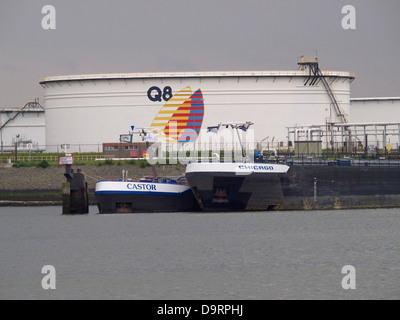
(236,186)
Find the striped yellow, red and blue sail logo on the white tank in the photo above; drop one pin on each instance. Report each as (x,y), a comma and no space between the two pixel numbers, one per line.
(181,117)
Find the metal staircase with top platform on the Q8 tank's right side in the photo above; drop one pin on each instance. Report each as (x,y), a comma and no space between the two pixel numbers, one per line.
(316,74)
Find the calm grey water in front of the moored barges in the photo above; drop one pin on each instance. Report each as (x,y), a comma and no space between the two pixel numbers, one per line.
(251,255)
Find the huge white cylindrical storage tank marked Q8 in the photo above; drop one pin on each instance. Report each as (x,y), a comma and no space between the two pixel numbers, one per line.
(86,110)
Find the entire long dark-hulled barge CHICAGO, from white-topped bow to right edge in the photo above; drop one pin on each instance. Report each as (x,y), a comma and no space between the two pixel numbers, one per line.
(248,187)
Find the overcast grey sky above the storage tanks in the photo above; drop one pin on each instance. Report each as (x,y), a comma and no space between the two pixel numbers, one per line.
(104,36)
